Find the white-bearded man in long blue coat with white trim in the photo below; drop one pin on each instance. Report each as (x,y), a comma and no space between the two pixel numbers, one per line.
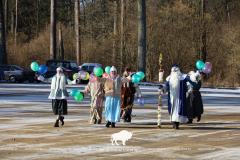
(176,86)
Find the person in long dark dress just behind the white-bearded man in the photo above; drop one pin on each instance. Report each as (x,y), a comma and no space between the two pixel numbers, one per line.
(194,99)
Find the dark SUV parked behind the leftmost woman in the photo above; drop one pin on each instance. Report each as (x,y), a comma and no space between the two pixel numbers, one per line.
(69,67)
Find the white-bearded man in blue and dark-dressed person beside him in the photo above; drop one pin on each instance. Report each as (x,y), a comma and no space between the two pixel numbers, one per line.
(184,98)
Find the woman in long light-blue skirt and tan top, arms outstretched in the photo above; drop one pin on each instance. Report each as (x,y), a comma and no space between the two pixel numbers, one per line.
(113,83)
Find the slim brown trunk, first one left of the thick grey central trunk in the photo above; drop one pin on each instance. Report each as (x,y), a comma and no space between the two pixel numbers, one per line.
(122,49)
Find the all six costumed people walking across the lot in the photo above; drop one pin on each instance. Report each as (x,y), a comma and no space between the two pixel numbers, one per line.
(184,98)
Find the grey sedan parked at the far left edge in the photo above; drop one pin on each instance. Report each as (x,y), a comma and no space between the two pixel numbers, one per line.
(15,73)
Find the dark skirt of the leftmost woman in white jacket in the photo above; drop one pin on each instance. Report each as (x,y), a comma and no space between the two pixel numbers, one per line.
(59,106)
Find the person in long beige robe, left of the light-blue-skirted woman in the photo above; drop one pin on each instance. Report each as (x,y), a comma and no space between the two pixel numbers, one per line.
(97,92)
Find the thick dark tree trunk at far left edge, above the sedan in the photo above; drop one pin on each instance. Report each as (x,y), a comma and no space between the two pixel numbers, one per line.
(3,53)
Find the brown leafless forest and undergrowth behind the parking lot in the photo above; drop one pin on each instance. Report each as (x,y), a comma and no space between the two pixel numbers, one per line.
(175,28)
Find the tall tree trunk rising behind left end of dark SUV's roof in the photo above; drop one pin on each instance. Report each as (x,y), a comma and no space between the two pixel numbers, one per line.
(53,30)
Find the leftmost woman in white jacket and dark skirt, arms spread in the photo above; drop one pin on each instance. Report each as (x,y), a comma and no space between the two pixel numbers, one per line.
(58,94)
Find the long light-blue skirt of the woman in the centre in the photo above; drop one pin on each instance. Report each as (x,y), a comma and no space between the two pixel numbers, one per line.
(112,109)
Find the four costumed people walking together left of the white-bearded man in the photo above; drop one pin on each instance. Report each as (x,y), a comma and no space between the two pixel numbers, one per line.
(118,90)
